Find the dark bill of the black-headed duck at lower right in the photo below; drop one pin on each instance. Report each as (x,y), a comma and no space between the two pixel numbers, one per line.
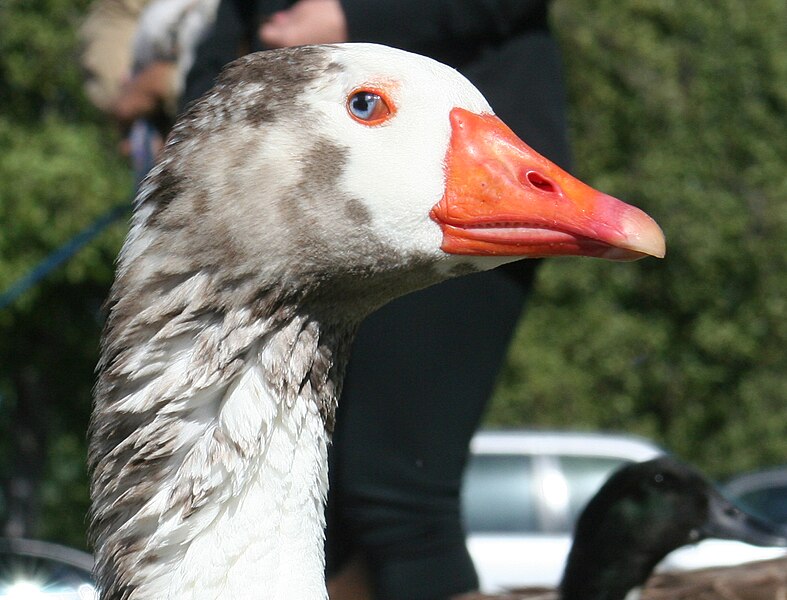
(727,521)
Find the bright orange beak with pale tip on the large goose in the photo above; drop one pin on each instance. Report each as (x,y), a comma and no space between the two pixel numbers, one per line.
(503,198)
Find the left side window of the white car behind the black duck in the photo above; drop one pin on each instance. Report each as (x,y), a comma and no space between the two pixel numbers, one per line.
(498,494)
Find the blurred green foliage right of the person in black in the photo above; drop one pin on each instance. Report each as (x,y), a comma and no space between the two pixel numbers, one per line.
(680,108)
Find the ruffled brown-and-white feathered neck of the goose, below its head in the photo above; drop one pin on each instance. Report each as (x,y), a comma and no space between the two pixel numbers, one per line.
(208,451)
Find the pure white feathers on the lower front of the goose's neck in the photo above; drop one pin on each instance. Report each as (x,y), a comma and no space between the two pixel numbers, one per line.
(260,465)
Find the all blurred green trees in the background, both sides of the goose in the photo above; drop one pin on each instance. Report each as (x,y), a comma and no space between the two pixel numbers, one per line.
(678,107)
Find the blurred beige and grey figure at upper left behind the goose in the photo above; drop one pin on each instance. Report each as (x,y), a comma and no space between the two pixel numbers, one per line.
(136,54)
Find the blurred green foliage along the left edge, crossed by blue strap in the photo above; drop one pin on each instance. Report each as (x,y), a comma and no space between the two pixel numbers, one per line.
(59,170)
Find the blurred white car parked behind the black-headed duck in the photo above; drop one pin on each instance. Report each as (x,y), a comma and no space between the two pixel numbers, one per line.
(523,491)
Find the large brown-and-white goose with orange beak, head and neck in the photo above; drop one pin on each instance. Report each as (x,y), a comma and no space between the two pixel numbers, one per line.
(307,188)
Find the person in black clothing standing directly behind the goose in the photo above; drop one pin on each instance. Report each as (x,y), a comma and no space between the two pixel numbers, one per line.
(423,367)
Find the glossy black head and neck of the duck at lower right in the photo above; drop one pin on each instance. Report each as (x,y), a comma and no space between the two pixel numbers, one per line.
(643,512)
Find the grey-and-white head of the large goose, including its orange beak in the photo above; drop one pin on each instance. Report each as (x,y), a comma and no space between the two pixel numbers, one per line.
(359,163)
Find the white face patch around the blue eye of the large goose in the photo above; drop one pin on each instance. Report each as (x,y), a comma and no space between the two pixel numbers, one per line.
(398,166)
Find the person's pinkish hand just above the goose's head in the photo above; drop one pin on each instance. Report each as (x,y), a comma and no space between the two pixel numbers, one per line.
(305,22)
